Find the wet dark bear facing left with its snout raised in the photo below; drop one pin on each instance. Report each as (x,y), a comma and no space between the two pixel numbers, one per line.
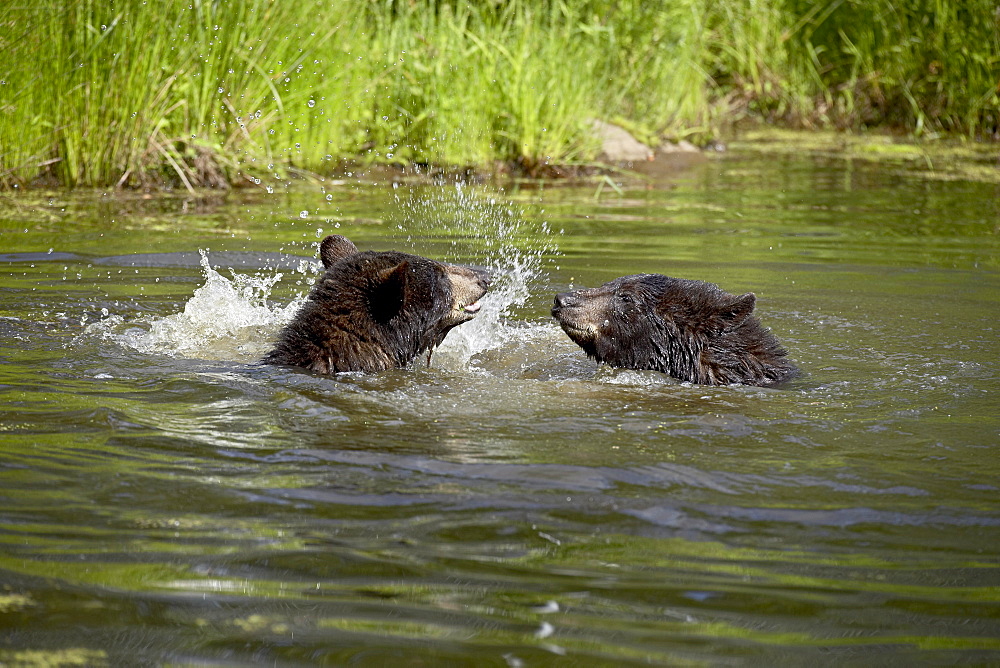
(691,330)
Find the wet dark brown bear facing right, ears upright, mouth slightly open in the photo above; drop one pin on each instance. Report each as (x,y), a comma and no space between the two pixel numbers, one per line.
(372,311)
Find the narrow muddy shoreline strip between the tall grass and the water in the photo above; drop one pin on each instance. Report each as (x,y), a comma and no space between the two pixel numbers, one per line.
(939,158)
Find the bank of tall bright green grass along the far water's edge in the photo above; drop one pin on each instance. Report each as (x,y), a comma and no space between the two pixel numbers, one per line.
(197,92)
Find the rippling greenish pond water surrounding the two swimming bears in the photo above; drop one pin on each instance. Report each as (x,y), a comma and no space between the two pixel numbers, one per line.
(166,500)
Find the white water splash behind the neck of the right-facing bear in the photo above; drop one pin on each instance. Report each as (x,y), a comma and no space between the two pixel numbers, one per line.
(226,318)
